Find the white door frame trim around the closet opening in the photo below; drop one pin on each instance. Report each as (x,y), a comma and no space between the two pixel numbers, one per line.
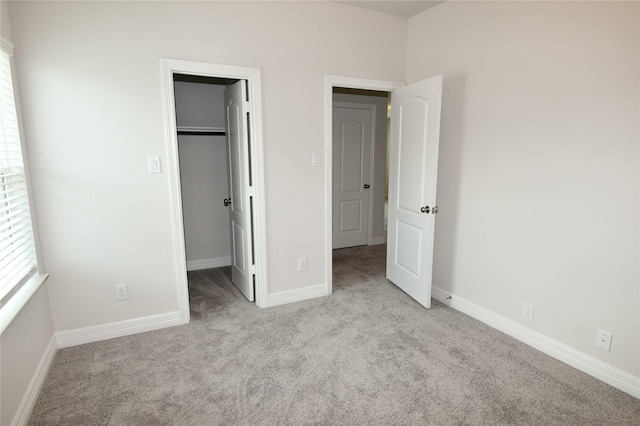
(252,75)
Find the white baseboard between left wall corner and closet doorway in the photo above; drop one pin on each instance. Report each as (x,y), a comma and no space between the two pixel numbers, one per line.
(97,333)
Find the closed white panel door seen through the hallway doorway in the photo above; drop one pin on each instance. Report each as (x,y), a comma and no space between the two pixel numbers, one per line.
(352,141)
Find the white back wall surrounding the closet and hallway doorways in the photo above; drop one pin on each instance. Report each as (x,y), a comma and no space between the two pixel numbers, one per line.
(93,105)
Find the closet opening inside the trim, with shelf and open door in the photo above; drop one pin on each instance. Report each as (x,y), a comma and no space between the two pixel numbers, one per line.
(213,123)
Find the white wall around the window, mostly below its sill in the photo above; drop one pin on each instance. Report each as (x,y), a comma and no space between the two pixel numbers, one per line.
(24,345)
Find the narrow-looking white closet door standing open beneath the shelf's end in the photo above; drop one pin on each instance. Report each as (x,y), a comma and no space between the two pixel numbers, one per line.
(239,181)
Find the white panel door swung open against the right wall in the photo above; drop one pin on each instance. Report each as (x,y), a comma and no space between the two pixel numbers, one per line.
(413,167)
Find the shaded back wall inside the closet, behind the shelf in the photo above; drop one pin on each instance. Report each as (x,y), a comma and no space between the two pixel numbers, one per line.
(204,175)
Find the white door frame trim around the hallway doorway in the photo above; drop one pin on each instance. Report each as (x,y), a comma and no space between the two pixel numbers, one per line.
(331,81)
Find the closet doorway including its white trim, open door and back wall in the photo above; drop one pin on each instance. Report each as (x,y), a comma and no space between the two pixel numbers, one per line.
(216,169)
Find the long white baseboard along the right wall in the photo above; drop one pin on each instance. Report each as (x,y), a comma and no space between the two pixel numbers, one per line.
(594,367)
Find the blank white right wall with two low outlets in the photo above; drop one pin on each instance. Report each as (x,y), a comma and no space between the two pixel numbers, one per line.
(538,177)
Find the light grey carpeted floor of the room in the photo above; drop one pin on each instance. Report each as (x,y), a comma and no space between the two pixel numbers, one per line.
(366,355)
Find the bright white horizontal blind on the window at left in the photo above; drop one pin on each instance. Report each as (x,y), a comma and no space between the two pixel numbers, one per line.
(17,247)
